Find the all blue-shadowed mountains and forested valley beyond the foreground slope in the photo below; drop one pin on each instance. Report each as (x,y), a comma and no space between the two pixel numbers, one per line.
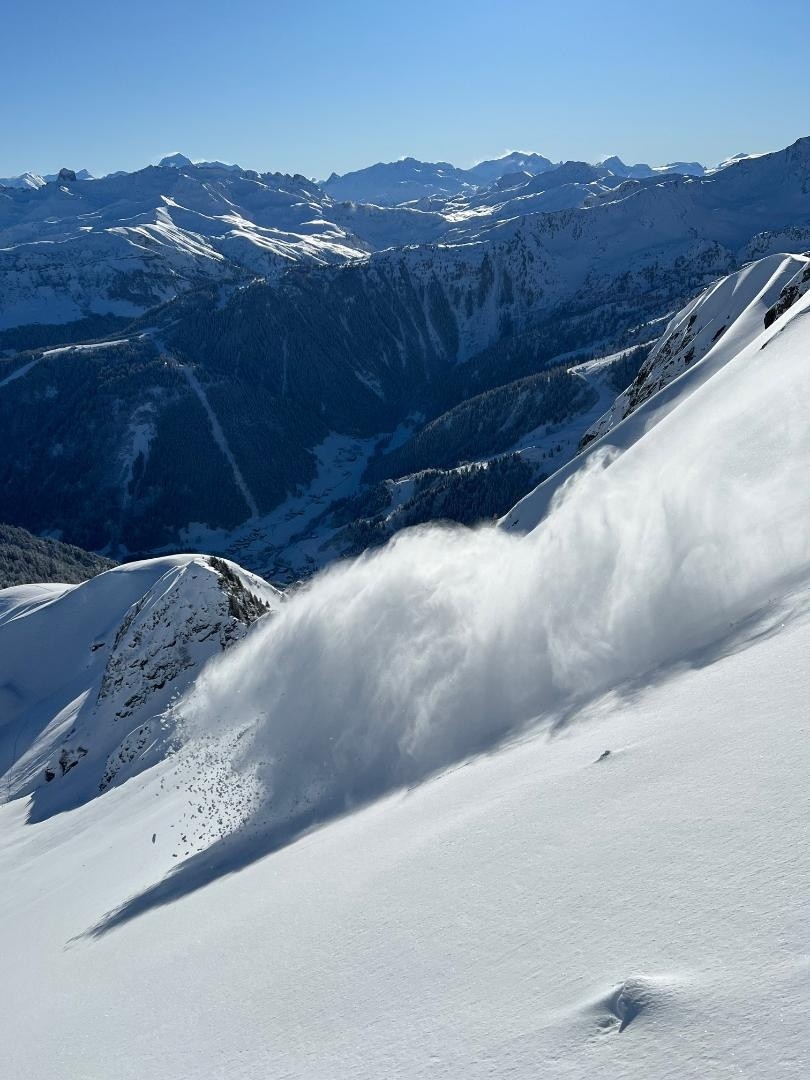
(199,355)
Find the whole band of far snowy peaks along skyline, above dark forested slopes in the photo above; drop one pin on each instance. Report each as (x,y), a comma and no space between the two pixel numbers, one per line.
(74,248)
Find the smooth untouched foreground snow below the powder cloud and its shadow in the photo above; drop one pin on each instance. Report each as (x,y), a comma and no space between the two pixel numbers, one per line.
(542,912)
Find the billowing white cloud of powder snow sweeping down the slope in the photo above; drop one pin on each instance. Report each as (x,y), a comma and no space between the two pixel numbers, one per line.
(447,643)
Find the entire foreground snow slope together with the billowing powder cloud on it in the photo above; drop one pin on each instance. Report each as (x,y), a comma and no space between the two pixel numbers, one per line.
(547,793)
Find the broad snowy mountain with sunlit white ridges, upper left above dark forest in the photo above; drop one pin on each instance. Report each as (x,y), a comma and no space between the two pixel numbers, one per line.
(124,244)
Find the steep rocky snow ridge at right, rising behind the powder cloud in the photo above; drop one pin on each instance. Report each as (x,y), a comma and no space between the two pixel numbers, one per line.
(717,326)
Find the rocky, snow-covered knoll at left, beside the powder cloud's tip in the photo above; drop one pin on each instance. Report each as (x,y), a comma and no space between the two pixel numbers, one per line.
(88,672)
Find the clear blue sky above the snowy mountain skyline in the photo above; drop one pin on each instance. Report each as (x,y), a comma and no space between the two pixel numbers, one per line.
(320,86)
